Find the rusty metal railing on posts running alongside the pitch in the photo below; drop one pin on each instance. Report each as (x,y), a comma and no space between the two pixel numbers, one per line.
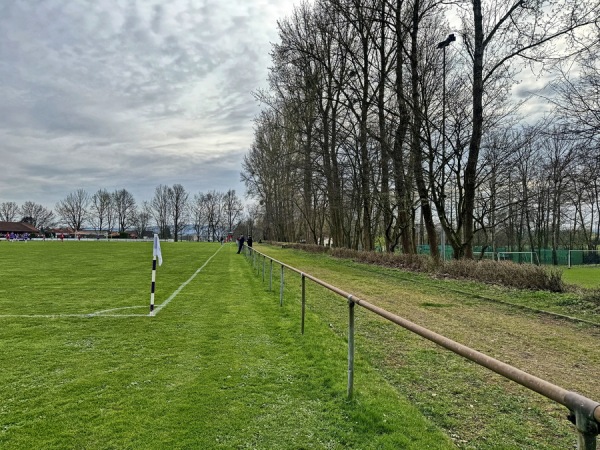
(585,413)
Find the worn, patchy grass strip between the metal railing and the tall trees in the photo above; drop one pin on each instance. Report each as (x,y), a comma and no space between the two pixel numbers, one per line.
(478,409)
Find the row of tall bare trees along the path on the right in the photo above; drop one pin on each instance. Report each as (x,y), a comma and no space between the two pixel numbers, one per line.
(379,123)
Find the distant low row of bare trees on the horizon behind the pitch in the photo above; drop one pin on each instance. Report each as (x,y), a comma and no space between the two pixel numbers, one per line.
(171,210)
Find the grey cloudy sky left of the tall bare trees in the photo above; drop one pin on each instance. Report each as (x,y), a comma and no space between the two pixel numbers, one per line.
(129,93)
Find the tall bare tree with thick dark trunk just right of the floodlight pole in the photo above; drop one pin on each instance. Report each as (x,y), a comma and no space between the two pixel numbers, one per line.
(496,34)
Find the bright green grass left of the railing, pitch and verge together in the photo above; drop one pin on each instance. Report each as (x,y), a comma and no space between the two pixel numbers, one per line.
(222,366)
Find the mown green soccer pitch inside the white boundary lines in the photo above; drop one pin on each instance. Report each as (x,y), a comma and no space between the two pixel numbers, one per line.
(98,278)
